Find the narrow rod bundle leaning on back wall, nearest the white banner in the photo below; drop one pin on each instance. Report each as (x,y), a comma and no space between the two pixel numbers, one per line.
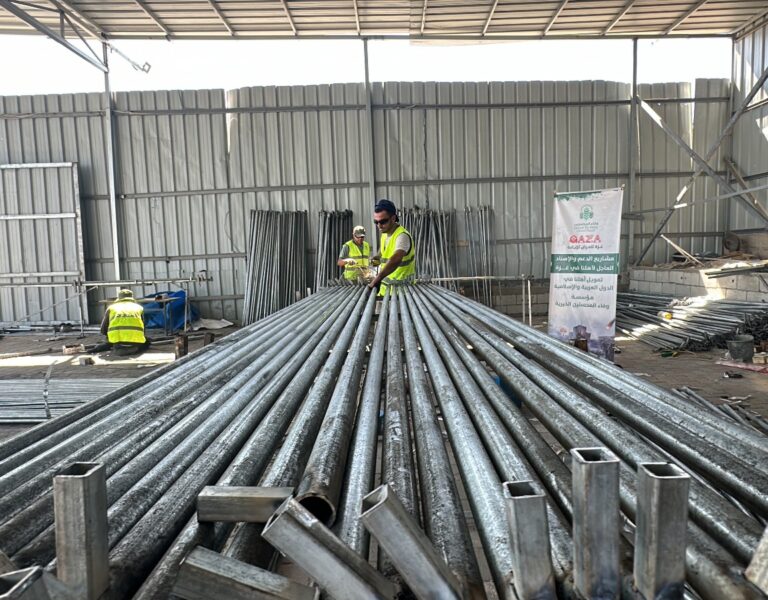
(481,248)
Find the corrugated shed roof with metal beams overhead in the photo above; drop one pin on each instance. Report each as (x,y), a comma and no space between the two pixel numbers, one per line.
(489,19)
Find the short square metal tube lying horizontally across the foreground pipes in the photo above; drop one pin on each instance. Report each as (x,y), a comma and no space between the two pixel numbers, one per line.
(239,504)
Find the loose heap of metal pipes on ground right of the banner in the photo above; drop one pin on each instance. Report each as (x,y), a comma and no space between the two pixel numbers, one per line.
(698,324)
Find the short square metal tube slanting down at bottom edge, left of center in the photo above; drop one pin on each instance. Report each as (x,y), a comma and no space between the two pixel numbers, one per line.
(205,574)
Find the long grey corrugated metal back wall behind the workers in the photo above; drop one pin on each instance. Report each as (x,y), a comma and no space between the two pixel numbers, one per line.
(192,164)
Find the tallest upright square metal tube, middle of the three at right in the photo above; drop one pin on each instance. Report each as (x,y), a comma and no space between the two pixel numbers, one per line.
(596,522)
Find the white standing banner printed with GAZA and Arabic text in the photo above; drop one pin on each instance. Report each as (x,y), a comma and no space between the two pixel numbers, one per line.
(584,269)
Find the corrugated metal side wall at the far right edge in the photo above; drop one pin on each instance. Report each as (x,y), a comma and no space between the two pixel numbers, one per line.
(750,137)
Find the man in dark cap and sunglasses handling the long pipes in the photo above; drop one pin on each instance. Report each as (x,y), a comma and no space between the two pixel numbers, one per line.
(397,251)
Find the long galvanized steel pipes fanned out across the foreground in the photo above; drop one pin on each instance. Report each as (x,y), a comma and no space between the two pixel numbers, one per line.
(294,401)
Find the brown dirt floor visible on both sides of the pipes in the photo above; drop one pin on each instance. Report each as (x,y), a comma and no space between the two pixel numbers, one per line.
(698,371)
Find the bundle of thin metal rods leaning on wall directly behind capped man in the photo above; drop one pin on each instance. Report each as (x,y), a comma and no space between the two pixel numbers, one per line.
(434,233)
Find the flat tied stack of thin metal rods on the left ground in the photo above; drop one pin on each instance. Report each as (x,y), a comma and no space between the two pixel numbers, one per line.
(37,400)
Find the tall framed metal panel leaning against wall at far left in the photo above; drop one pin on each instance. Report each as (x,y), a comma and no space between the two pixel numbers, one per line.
(41,242)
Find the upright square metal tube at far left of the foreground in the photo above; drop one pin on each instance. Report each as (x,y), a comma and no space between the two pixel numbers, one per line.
(80,511)
